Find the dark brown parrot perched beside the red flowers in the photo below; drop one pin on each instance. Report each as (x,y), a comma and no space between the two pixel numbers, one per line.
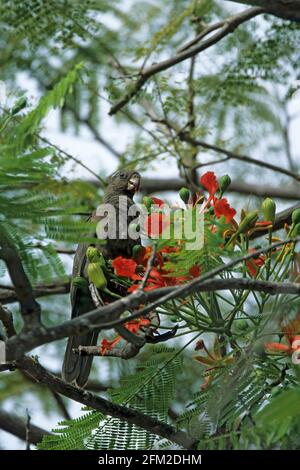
(76,368)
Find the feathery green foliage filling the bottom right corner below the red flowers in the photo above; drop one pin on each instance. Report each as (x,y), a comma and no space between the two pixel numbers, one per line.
(232,401)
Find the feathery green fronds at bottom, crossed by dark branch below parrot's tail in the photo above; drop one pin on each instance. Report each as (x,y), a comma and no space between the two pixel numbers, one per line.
(149,390)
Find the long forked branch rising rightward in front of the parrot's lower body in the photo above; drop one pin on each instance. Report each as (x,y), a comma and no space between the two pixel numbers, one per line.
(108,316)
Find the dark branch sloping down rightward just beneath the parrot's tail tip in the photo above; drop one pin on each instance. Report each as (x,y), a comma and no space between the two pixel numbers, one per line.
(40,375)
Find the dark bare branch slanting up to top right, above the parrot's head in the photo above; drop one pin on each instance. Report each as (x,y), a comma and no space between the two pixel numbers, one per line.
(229,26)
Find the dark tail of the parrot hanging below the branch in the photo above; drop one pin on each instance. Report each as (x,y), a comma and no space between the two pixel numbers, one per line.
(76,368)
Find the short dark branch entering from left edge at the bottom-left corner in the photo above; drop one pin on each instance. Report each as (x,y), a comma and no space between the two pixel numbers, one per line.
(17,426)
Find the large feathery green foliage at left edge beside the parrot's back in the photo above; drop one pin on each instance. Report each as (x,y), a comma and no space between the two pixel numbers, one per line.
(32,214)
